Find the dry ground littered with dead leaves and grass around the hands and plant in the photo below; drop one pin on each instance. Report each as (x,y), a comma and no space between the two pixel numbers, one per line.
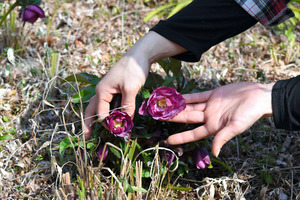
(90,36)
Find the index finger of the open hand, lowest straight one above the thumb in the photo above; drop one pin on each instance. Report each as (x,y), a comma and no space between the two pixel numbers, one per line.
(189,136)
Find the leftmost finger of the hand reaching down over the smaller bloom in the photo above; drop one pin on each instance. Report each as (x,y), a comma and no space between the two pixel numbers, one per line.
(89,117)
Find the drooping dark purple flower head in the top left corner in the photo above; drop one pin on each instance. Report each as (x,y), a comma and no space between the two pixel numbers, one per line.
(31,13)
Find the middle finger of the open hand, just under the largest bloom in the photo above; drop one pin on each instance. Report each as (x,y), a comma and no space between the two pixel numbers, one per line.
(190,117)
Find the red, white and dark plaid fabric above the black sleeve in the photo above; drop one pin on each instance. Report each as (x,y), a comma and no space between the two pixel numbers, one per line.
(267,12)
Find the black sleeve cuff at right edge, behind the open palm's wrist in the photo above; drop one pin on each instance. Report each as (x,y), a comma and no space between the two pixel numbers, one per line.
(286,104)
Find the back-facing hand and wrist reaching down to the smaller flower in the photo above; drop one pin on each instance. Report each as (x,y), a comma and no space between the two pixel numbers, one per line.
(127,77)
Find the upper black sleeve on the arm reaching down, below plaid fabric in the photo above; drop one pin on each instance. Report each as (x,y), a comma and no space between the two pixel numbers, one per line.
(203,24)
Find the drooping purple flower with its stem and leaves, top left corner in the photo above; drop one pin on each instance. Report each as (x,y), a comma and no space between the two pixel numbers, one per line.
(30,11)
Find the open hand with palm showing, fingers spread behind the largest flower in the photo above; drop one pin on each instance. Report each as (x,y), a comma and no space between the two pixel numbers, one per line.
(227,111)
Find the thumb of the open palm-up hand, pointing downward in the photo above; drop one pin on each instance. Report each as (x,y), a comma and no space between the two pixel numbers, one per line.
(222,137)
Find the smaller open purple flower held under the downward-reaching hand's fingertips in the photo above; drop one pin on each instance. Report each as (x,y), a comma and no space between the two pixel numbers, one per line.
(119,123)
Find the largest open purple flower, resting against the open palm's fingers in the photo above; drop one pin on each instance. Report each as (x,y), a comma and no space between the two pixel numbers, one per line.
(164,103)
